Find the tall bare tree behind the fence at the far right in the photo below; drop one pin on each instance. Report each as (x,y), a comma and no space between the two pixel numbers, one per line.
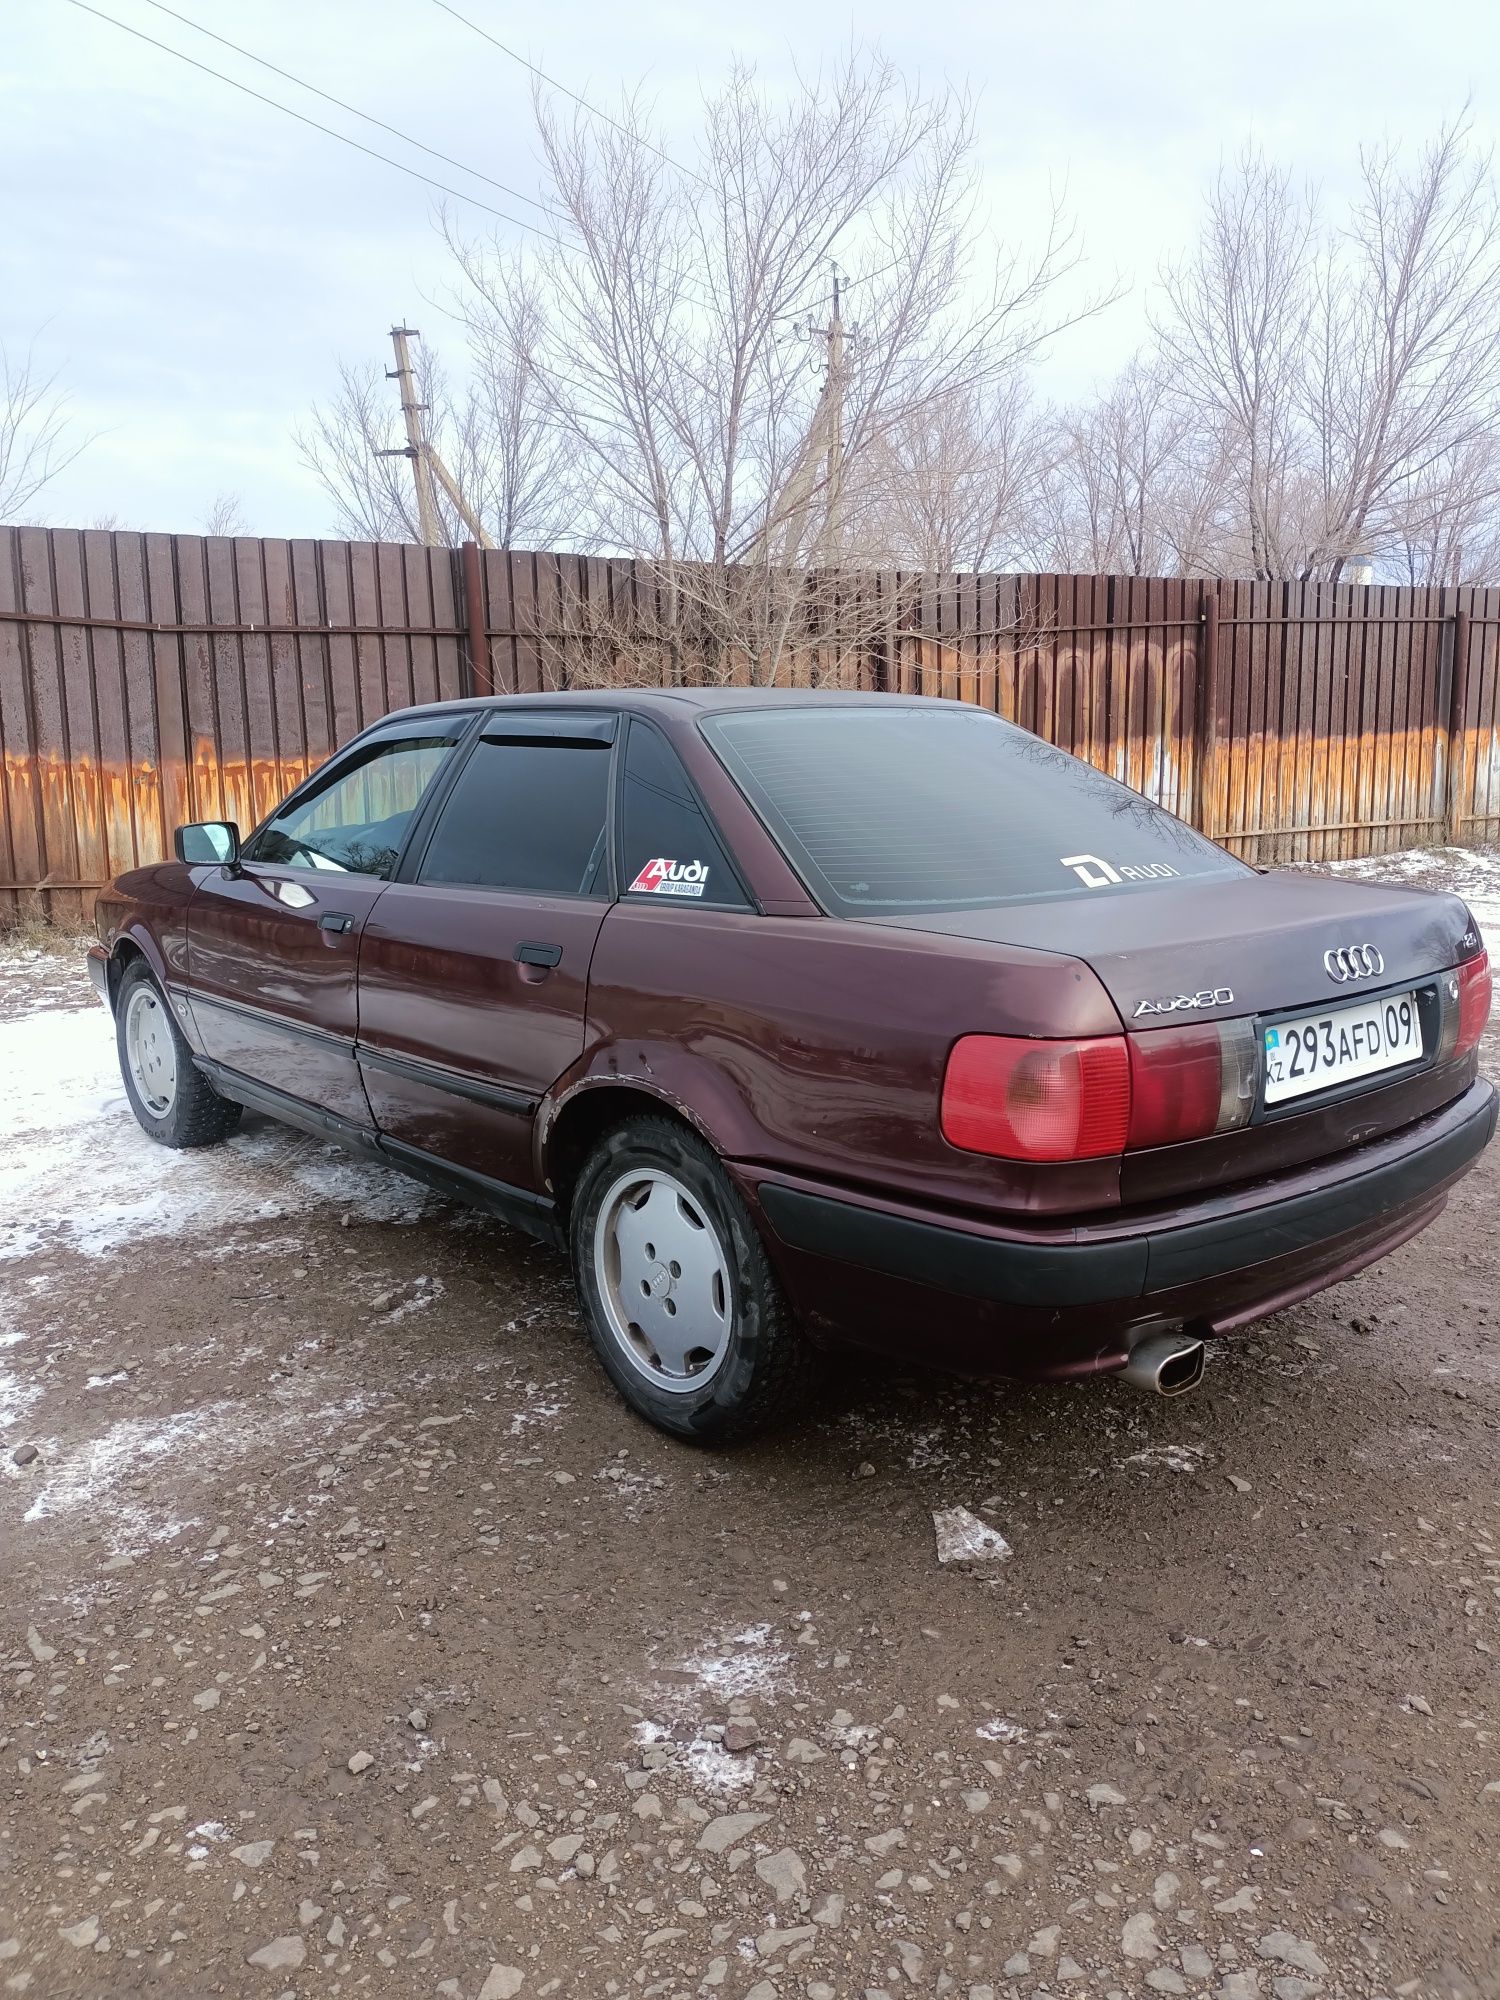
(1343,367)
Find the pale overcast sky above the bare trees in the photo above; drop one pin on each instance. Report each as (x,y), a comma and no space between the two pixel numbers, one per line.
(195,263)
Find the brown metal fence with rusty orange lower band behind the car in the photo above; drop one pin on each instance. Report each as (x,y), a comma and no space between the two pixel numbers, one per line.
(153,679)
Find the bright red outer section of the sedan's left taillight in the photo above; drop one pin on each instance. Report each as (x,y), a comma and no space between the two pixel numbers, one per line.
(1037,1101)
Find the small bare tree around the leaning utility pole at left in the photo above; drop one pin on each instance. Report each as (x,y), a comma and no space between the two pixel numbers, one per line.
(495,437)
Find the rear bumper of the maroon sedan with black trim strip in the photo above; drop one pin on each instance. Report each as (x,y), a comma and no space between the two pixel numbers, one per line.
(1029,1301)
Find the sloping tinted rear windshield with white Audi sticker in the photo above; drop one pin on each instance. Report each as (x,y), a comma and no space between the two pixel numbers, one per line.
(893,811)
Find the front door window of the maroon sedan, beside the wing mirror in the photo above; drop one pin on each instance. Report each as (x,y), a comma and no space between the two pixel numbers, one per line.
(355,817)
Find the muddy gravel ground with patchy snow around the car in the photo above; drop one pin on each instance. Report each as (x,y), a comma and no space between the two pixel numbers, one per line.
(355,1639)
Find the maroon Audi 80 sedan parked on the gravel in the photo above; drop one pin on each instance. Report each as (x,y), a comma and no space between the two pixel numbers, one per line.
(809,1017)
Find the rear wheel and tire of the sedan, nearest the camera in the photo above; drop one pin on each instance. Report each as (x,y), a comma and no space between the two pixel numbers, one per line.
(707,1281)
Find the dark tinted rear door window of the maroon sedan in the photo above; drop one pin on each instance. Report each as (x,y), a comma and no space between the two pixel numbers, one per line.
(525,815)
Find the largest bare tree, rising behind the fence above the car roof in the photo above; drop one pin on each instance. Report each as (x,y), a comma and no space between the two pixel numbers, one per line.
(735,411)
